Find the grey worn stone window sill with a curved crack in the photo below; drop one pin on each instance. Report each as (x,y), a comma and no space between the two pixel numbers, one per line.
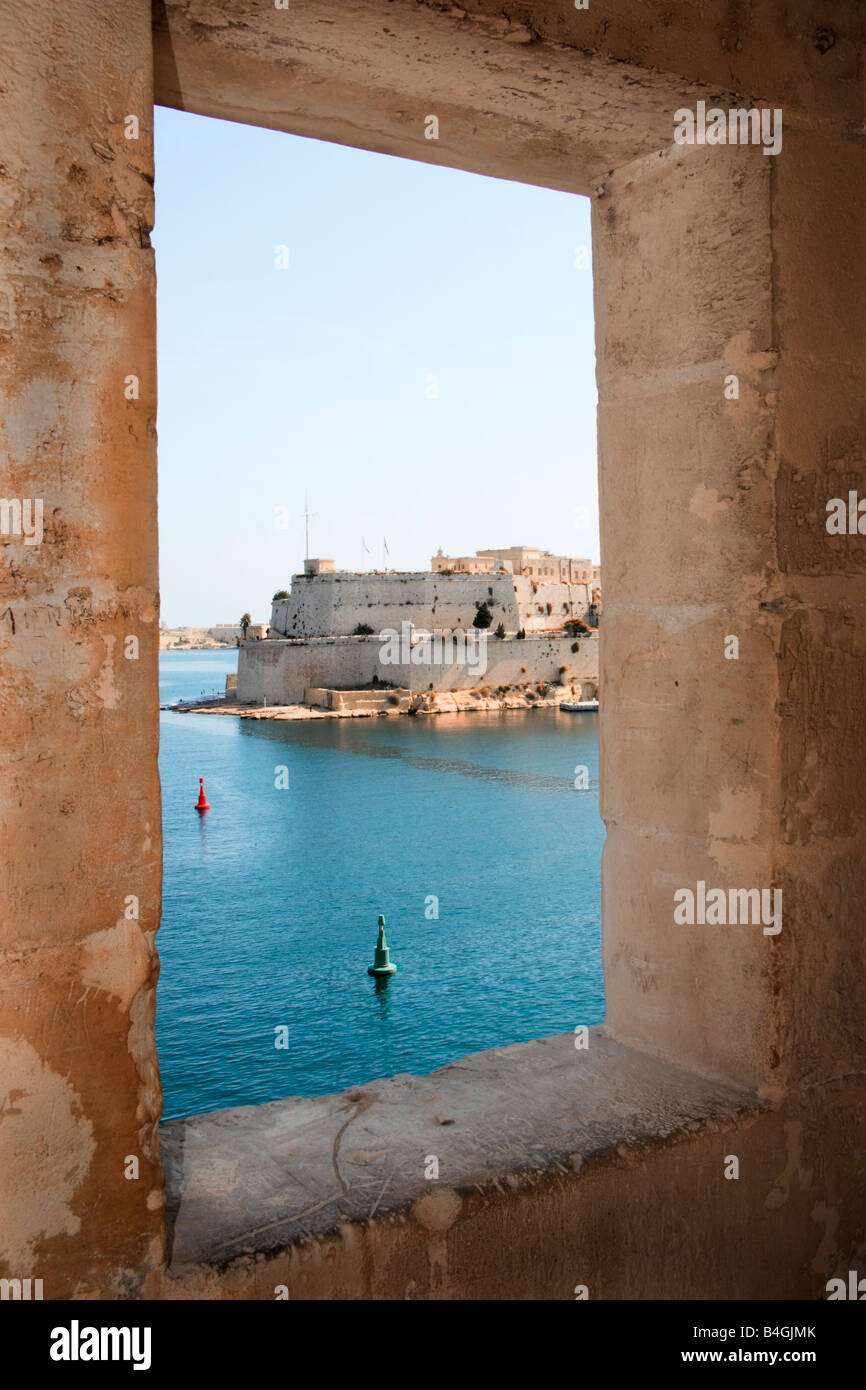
(258,1179)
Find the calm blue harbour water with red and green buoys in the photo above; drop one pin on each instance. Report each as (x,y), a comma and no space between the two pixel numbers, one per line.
(272,900)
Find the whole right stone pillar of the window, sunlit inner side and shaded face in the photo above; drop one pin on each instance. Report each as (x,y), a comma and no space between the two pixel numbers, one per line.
(717,263)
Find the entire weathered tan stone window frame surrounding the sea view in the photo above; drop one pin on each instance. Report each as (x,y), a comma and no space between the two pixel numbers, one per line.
(729,1028)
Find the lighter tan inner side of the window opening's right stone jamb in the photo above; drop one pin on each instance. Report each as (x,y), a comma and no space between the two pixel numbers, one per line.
(690,739)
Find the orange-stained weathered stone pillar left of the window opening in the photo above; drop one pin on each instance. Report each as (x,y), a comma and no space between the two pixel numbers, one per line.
(80,1092)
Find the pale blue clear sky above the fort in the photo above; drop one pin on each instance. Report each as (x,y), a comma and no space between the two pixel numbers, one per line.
(316,377)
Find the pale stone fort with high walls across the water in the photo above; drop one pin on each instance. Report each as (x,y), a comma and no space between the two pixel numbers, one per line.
(525,630)
